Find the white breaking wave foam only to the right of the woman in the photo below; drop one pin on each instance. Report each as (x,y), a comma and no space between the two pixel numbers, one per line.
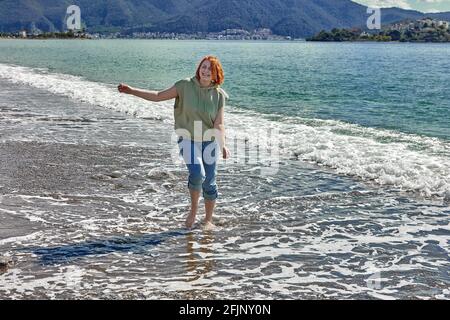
(396,163)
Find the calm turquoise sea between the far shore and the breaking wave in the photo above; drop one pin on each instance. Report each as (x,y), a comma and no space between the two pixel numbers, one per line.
(401,87)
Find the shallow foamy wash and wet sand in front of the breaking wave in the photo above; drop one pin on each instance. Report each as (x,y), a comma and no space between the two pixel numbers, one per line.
(102,220)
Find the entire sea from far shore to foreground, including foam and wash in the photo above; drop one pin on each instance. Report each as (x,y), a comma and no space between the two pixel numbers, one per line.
(91,200)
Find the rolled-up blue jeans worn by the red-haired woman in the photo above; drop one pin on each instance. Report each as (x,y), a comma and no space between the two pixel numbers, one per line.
(201,161)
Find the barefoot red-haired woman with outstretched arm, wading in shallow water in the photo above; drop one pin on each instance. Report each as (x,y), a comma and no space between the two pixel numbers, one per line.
(199,123)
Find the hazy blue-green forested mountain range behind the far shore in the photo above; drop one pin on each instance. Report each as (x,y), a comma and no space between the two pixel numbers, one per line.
(296,18)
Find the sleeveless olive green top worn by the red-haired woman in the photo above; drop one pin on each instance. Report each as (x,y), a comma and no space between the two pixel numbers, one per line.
(199,105)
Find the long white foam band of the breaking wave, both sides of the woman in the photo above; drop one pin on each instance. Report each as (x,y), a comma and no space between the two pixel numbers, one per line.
(404,161)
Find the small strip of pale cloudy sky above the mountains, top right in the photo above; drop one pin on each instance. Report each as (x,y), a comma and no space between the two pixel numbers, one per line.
(420,5)
